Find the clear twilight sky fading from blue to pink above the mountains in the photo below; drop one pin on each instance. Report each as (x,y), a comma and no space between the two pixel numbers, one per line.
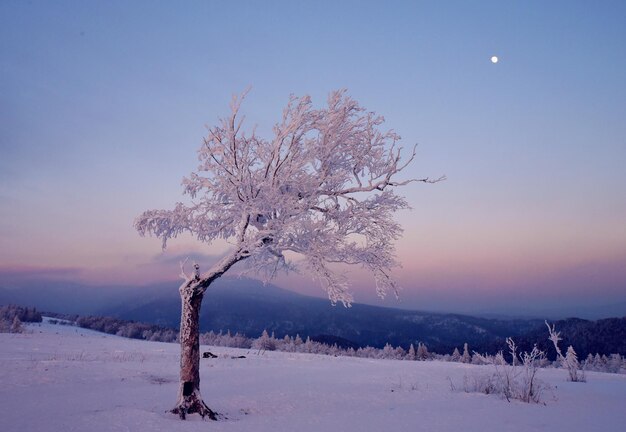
(104,104)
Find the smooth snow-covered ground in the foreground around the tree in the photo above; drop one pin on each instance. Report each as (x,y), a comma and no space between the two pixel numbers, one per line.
(61,378)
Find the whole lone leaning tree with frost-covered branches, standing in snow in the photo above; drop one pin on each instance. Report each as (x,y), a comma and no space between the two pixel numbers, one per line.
(321,188)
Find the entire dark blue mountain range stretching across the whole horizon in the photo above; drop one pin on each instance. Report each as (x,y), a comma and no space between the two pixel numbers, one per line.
(247,306)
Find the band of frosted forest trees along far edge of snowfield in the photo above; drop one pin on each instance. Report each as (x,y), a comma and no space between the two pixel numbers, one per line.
(326,345)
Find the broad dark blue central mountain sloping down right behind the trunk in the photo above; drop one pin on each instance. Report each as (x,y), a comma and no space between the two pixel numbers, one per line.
(249,307)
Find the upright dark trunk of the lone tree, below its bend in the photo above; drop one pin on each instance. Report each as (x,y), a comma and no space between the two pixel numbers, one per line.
(189,397)
